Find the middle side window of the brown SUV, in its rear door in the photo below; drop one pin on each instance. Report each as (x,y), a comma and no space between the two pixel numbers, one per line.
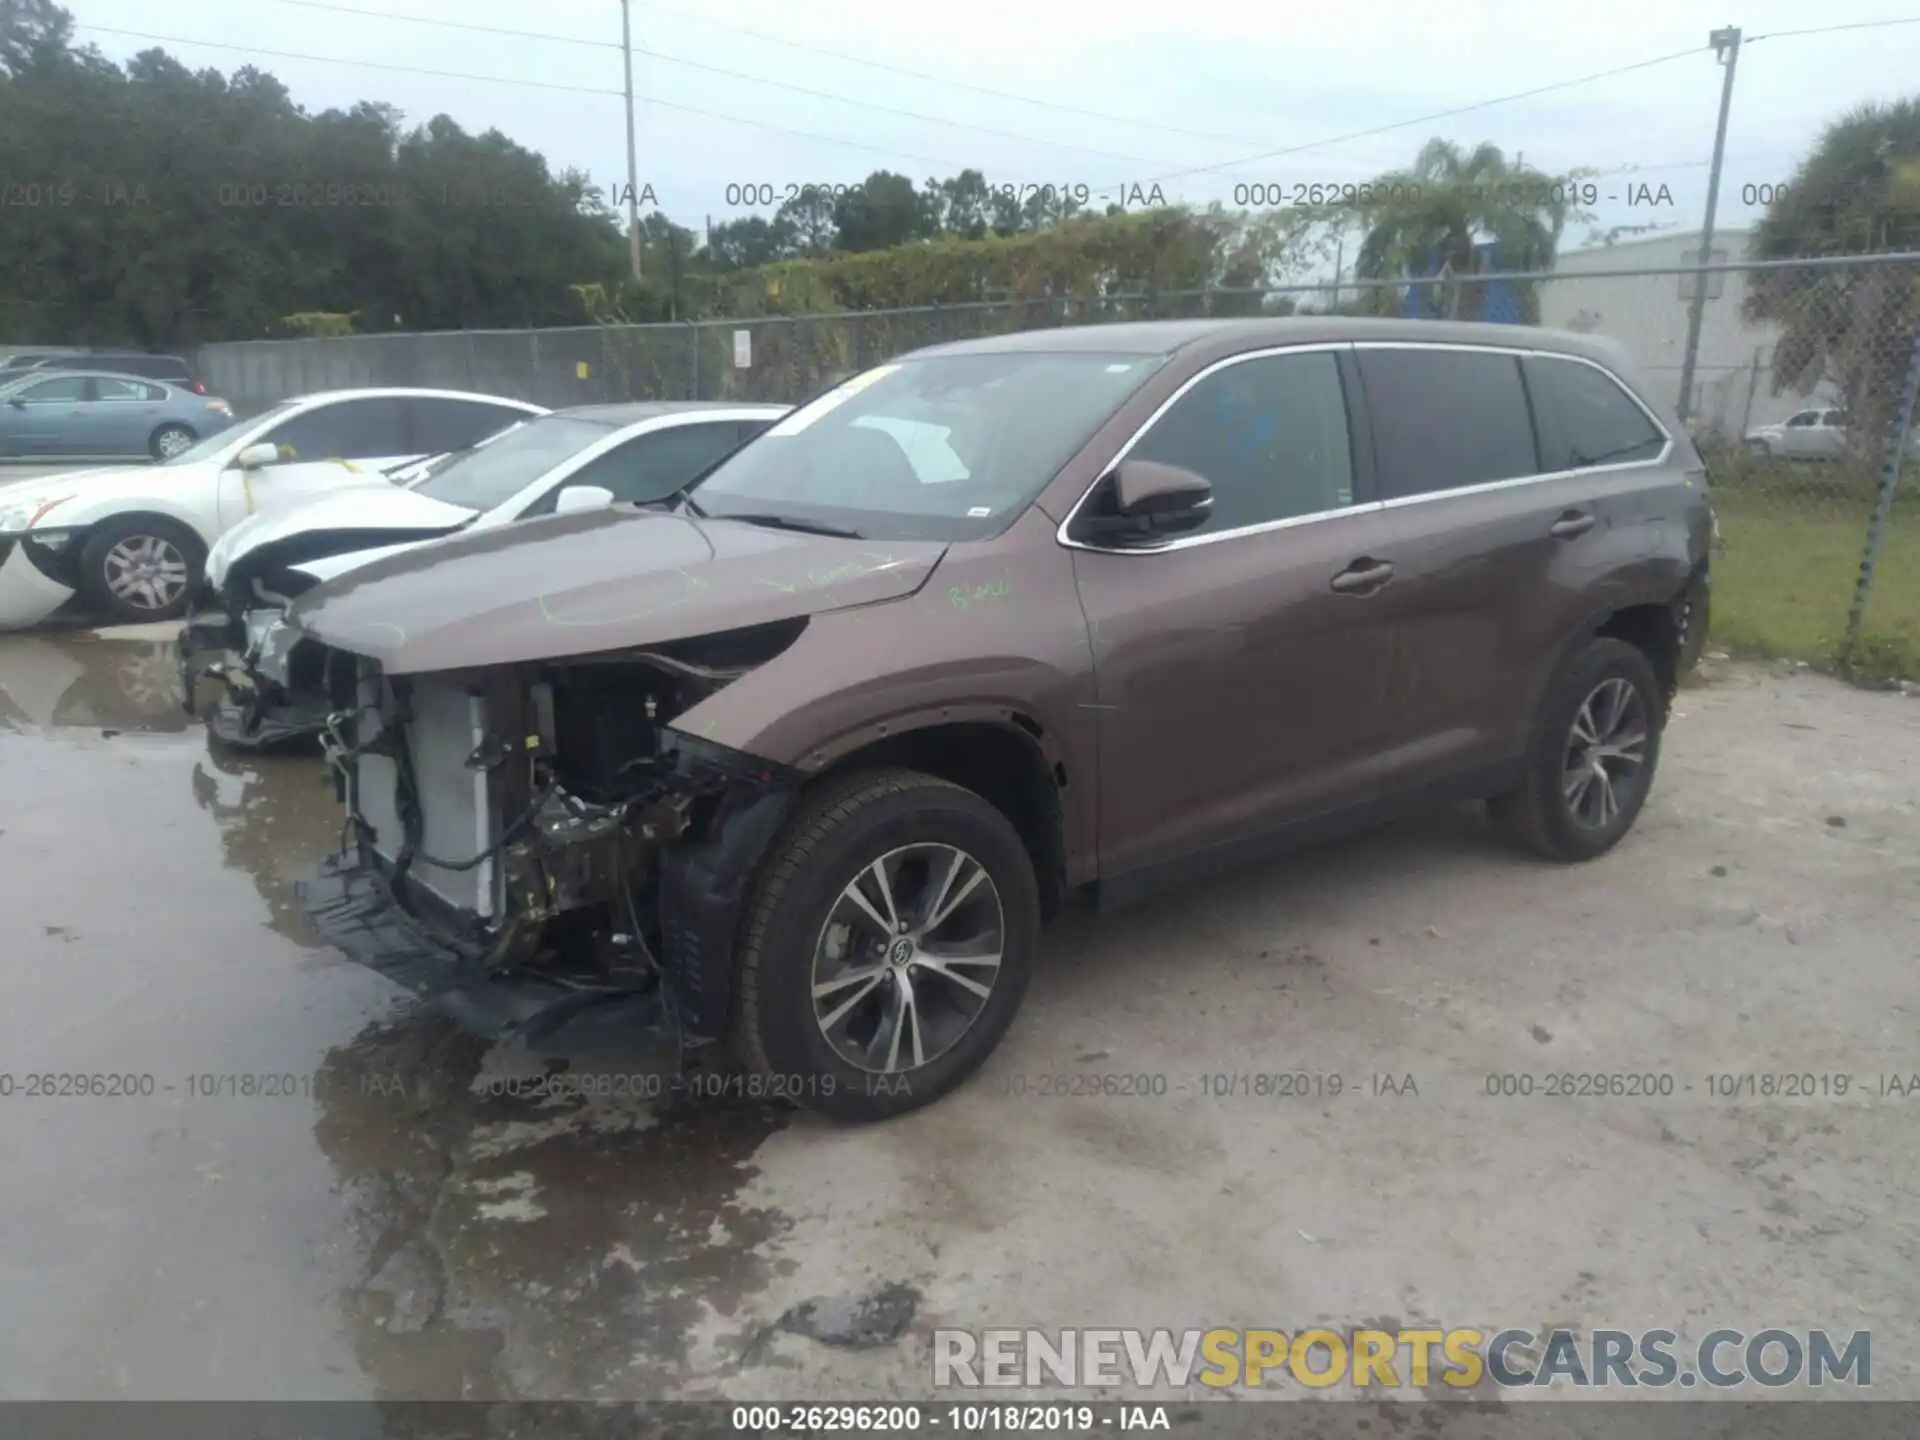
(1445,420)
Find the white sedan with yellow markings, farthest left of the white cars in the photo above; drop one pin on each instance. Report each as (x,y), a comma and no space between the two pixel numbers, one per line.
(133,542)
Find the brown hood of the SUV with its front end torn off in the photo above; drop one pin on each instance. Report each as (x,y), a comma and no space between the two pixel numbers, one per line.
(577,585)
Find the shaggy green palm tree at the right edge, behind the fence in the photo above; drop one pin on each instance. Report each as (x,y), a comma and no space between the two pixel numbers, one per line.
(1856,195)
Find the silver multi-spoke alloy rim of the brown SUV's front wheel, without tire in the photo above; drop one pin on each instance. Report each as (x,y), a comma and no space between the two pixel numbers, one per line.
(907,959)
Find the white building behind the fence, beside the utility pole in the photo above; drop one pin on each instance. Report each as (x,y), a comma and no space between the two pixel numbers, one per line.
(1648,314)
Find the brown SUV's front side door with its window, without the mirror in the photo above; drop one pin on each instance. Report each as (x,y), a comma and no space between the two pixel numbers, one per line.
(1236,688)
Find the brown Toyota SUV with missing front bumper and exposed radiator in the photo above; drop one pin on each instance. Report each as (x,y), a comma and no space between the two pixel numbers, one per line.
(786,771)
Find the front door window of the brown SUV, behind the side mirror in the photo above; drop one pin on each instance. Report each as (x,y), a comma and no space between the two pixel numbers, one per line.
(1268,433)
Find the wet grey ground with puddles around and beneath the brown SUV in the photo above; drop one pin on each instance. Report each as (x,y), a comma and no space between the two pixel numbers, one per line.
(312,1188)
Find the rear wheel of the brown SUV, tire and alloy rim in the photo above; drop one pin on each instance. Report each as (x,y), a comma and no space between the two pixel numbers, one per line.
(1593,757)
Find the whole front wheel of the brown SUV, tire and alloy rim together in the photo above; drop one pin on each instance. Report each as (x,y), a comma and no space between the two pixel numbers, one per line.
(888,946)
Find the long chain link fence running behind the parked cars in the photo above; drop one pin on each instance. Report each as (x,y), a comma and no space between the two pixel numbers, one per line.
(1802,395)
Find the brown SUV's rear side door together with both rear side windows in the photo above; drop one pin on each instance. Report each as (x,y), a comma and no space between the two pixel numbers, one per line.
(1508,487)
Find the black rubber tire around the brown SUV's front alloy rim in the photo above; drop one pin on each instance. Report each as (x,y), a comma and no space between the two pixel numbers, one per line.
(830,842)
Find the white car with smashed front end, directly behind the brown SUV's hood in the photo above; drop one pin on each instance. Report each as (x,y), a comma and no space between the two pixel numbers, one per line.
(560,464)
